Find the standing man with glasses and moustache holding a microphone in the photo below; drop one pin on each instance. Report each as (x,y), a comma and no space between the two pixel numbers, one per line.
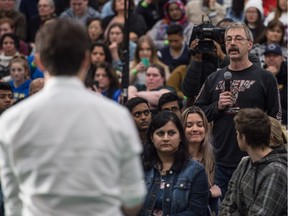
(247,86)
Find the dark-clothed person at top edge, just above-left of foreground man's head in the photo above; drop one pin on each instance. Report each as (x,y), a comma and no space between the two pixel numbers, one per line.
(46,11)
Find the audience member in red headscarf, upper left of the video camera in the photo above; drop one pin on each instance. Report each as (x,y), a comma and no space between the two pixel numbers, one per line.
(174,13)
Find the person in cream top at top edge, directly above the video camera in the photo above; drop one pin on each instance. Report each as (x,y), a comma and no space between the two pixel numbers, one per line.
(210,9)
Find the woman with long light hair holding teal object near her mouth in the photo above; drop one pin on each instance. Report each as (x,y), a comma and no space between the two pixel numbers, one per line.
(145,54)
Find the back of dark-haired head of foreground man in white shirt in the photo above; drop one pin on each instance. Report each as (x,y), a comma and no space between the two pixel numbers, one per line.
(62,45)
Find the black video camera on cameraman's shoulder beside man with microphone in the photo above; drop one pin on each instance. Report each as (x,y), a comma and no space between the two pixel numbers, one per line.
(207,30)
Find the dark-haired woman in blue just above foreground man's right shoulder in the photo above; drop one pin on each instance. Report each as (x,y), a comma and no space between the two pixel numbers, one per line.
(104,80)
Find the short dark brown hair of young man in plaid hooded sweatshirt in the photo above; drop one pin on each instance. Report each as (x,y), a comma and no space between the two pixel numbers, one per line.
(255,125)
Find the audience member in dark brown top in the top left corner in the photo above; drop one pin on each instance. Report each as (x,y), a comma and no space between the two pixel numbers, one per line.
(19,20)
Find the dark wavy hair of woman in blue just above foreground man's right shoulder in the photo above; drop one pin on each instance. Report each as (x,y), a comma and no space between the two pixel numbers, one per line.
(111,74)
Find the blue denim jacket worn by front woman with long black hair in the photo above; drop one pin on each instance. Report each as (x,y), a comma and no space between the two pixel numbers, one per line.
(185,192)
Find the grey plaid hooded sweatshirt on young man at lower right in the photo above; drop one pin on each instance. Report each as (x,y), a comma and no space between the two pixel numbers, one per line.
(258,188)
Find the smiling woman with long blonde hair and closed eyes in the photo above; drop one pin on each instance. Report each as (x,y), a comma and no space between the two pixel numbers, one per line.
(198,137)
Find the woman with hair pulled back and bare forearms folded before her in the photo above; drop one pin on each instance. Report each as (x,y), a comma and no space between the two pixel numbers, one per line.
(154,86)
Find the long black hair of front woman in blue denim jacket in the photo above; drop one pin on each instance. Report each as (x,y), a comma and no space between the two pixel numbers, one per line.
(150,156)
